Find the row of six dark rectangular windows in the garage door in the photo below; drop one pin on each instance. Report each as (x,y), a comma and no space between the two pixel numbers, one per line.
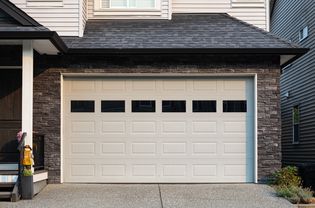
(149,106)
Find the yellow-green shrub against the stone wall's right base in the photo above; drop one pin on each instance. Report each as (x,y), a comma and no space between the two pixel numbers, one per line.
(287,176)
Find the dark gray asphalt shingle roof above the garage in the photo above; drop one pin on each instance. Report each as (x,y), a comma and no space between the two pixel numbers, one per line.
(184,31)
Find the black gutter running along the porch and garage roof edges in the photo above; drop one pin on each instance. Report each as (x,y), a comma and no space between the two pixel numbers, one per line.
(57,41)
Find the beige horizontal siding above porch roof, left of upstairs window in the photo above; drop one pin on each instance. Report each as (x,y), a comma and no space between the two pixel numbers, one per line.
(62,18)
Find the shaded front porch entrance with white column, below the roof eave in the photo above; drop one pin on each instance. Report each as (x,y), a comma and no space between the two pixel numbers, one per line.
(16,114)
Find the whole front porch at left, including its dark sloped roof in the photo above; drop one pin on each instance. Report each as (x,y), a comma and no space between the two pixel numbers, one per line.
(20,38)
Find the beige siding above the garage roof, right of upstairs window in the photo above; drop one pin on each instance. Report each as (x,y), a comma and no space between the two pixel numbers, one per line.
(250,11)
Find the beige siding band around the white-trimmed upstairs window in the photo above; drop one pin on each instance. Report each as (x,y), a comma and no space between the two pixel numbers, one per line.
(163,13)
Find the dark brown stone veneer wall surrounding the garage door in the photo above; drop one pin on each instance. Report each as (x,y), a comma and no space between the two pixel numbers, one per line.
(47,94)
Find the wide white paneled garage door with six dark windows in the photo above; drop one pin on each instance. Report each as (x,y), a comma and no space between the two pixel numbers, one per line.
(138,130)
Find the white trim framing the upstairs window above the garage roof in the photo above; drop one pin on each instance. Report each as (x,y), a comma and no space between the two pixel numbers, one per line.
(98,7)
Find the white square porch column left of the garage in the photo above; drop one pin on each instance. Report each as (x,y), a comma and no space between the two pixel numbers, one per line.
(27,91)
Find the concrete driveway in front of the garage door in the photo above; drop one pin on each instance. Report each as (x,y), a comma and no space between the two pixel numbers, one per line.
(154,196)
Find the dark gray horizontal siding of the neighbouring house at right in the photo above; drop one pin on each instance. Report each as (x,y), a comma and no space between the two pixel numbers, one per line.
(299,79)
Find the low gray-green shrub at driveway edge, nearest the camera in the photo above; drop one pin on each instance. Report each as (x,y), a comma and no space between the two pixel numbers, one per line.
(295,194)
